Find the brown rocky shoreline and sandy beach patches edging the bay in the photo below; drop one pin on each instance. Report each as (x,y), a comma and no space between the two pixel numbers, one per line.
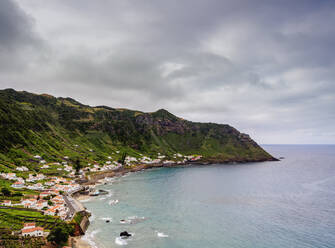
(79,241)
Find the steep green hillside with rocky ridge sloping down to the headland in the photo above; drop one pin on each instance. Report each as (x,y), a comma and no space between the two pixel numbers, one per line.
(53,127)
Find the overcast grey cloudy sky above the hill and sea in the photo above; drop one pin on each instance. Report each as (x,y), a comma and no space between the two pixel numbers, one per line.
(264,67)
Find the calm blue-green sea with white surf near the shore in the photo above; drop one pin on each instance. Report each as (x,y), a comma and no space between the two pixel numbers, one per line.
(285,204)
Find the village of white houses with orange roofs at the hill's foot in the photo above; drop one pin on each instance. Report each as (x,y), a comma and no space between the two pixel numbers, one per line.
(53,195)
